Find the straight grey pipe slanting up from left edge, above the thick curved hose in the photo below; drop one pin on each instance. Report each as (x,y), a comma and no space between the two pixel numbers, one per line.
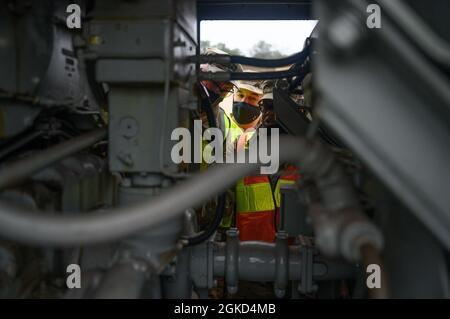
(18,171)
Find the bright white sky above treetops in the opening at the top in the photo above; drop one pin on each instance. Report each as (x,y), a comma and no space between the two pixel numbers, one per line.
(286,36)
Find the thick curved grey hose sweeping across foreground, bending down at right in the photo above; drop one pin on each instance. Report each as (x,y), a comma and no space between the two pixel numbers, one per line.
(55,230)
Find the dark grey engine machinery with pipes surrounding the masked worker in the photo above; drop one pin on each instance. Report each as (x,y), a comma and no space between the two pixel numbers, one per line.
(86,177)
